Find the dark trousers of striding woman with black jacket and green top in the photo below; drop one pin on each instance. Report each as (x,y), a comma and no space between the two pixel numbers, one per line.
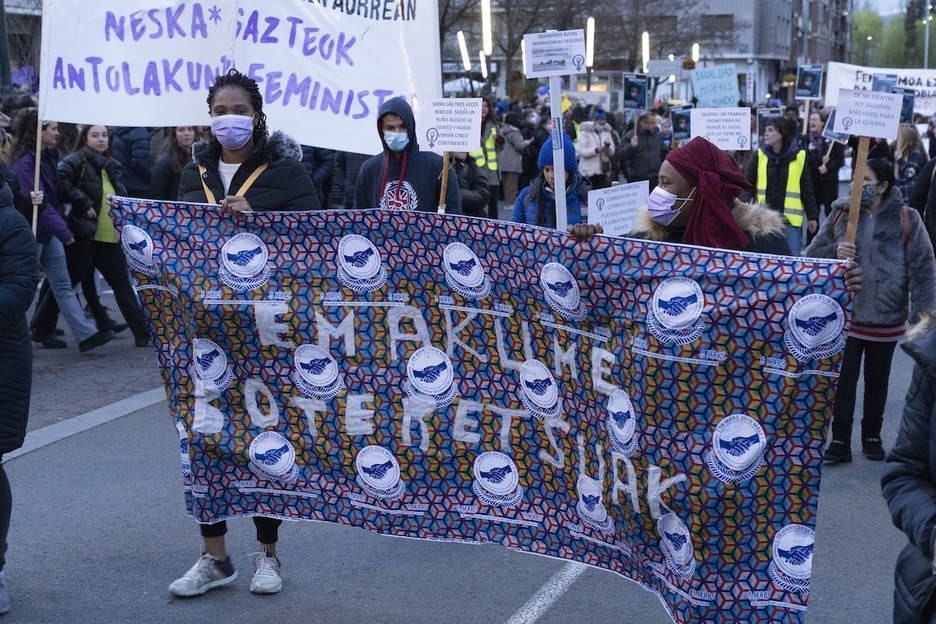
(83,256)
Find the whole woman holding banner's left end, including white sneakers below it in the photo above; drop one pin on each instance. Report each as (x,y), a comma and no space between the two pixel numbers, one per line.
(243,168)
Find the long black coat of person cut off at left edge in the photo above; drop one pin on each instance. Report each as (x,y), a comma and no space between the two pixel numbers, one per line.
(19,275)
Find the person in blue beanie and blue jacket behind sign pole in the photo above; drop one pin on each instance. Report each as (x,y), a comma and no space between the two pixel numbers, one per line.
(536,204)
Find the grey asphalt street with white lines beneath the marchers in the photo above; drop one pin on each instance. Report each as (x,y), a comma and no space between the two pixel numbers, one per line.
(99,531)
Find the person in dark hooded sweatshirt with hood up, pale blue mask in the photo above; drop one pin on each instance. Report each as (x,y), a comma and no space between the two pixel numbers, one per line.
(402,177)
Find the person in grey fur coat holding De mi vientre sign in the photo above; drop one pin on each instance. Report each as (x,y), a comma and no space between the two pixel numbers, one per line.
(895,250)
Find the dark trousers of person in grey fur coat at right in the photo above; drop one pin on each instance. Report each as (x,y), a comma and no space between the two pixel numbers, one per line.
(877,362)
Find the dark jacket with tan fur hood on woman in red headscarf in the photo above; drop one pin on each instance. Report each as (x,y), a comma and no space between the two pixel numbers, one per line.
(763,226)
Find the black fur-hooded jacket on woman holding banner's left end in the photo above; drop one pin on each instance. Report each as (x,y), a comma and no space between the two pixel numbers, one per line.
(284,185)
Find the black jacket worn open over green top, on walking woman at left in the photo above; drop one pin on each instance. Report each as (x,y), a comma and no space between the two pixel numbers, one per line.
(82,184)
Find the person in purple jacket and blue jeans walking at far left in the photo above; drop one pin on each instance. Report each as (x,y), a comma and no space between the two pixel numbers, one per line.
(53,233)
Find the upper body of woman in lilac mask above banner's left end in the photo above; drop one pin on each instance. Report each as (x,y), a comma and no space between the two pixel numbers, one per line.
(222,171)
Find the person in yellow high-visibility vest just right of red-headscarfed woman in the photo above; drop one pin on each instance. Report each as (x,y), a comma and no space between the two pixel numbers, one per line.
(782,181)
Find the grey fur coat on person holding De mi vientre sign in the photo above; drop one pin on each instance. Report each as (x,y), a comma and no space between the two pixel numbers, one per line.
(894,269)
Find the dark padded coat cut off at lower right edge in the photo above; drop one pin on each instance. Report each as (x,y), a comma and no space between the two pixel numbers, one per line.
(909,485)
